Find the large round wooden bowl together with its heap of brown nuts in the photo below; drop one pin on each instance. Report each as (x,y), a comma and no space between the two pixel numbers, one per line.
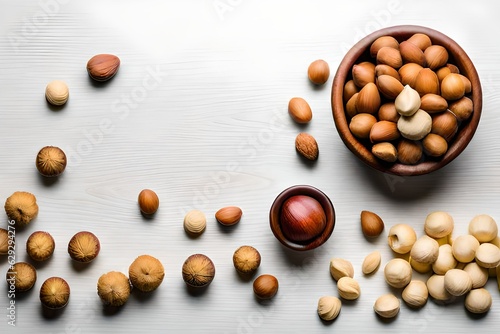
(406,100)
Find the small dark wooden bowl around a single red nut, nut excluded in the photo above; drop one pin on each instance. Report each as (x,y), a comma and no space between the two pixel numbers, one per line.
(275,214)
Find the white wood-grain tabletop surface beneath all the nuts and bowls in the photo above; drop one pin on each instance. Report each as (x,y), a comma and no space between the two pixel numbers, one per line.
(198,113)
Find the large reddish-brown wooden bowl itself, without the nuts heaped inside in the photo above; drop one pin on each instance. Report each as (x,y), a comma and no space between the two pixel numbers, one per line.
(361,52)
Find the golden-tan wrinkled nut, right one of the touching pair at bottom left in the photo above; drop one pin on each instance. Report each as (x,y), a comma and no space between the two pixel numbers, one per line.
(146,273)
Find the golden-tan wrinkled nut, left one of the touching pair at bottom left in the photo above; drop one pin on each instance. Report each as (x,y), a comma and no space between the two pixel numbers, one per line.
(113,288)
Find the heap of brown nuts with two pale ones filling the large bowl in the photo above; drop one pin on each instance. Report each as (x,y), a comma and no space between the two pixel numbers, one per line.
(409,102)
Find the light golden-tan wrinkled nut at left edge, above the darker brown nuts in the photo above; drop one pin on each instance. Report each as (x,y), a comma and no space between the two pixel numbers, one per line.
(21,207)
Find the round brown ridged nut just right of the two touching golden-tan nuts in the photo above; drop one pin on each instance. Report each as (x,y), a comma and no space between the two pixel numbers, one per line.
(198,271)
